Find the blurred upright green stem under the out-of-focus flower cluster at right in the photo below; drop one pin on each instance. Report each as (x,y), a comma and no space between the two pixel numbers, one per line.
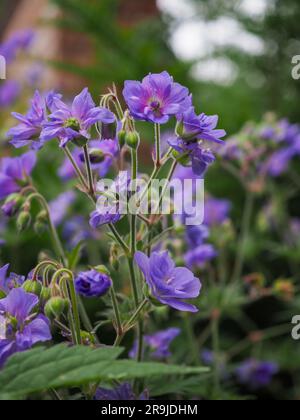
(248,210)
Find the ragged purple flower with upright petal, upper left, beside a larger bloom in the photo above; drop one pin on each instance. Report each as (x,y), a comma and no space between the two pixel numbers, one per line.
(28,132)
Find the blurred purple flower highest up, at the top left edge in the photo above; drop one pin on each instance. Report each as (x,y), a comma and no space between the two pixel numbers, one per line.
(20,40)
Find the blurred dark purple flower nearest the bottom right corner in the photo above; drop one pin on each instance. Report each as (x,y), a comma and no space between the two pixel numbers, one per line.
(256,374)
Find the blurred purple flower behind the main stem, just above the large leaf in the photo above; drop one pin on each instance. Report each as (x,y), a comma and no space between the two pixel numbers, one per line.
(159,343)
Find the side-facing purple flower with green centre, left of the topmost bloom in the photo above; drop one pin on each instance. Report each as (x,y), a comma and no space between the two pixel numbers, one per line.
(74,122)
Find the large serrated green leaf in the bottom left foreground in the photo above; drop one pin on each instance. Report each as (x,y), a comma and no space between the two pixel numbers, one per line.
(62,367)
